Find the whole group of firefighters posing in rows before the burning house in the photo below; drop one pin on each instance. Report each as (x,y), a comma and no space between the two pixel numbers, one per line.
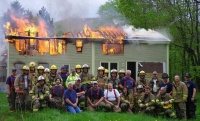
(38,87)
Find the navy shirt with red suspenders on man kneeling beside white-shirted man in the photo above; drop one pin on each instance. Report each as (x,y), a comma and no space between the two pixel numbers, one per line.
(95,94)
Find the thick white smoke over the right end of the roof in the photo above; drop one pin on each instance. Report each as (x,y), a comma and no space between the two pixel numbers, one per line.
(143,33)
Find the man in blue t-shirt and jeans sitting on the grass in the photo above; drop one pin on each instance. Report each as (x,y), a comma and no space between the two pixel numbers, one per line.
(71,100)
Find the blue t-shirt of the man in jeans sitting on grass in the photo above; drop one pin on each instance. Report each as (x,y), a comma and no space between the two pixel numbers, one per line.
(71,95)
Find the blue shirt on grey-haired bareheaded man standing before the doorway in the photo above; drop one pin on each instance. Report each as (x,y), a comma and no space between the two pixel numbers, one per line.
(130,83)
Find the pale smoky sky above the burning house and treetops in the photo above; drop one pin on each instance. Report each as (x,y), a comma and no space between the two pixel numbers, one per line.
(59,9)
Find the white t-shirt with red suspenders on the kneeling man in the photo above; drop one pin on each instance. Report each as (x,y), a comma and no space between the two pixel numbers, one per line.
(110,95)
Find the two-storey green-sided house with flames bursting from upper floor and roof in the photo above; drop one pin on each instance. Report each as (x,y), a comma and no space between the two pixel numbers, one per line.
(108,46)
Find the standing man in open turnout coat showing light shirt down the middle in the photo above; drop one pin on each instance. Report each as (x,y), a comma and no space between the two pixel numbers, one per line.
(155,83)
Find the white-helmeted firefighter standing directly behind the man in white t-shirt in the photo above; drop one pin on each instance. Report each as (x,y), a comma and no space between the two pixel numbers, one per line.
(113,79)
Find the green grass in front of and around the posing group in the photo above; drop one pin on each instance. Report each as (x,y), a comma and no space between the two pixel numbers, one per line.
(56,115)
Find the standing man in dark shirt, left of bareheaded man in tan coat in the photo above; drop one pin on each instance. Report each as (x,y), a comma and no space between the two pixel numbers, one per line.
(166,83)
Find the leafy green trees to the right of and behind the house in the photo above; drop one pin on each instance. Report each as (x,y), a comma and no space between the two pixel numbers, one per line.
(182,19)
